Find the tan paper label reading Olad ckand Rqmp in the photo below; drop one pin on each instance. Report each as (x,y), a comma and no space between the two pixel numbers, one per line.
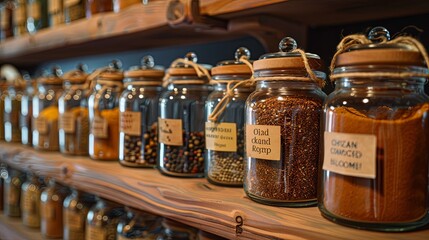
(263,142)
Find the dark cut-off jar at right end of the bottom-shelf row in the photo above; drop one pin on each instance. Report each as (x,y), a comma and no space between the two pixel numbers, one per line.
(175,230)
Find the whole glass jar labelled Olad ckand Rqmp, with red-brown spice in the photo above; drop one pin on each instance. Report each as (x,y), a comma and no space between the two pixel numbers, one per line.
(283,128)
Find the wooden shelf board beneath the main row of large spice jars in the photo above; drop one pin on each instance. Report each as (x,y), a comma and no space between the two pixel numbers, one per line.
(192,201)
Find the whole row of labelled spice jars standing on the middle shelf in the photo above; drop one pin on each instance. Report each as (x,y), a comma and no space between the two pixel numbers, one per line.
(263,125)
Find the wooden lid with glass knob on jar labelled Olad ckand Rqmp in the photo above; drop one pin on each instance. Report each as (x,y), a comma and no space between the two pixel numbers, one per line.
(286,58)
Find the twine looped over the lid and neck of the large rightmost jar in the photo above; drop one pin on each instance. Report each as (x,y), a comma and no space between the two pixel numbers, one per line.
(381,35)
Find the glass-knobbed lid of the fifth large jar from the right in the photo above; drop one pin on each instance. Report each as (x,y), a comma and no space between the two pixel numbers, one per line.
(146,69)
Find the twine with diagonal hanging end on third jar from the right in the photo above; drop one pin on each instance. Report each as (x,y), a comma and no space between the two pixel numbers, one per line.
(231,85)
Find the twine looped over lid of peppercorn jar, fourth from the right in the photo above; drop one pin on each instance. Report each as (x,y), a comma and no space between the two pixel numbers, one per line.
(200,70)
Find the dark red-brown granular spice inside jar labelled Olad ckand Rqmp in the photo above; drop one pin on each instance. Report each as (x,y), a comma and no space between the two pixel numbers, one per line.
(295,177)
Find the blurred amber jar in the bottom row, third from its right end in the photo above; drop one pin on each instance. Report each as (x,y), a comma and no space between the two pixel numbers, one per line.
(102,220)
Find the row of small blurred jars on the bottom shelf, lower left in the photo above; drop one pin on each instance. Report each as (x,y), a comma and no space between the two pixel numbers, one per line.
(72,214)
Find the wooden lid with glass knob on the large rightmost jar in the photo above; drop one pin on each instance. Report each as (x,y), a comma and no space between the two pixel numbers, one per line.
(379,50)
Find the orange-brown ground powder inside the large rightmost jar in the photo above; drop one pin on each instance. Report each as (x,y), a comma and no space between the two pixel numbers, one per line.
(401,165)
